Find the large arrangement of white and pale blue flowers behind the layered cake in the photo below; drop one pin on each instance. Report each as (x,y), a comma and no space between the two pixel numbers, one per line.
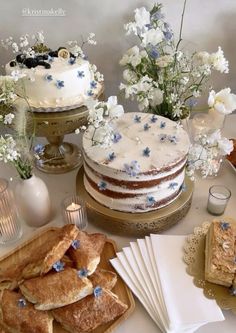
(165,79)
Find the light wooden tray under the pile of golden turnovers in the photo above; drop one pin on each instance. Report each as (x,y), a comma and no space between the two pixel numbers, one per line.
(21,255)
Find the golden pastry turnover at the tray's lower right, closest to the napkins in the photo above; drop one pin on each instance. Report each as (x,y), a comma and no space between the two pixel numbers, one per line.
(90,312)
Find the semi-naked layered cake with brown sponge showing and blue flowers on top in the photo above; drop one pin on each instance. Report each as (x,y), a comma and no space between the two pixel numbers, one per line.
(143,170)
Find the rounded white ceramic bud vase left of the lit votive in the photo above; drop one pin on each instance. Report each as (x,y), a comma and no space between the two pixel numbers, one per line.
(33,201)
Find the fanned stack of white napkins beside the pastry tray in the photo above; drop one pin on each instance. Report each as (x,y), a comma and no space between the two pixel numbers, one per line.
(154,270)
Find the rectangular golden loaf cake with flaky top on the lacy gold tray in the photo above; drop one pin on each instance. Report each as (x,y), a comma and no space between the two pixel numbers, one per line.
(220,252)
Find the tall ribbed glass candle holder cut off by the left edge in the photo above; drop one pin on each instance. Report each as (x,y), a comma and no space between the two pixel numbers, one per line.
(10,226)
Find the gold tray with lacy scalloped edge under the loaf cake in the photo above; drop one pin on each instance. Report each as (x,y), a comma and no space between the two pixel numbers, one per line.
(194,257)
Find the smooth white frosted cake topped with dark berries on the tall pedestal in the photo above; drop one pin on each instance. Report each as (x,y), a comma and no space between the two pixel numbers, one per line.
(56,82)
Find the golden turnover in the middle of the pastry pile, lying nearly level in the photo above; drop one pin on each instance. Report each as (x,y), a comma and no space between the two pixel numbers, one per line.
(55,290)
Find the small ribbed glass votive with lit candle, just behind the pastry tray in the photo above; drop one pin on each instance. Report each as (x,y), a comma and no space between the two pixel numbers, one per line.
(74,211)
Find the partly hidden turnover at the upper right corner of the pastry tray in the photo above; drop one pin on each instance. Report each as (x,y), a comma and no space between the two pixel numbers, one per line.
(87,255)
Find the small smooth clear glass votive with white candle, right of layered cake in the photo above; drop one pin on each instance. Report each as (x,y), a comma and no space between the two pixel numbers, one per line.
(219,196)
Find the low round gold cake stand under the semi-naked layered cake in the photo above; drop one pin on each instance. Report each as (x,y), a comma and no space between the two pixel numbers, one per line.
(135,224)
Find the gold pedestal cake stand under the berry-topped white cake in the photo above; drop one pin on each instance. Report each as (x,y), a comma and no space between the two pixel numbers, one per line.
(58,156)
